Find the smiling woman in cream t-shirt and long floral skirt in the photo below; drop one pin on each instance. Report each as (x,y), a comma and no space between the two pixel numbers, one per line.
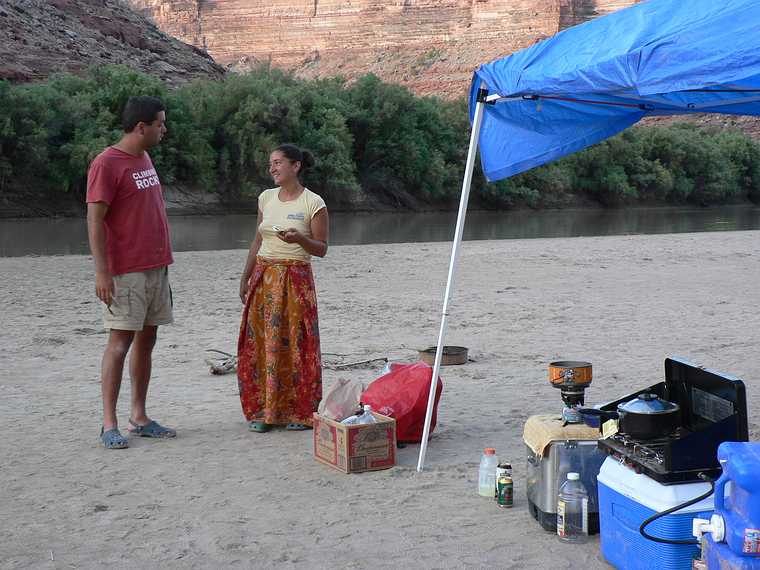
(279,359)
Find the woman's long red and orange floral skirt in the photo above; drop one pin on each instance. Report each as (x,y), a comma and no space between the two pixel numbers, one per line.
(279,359)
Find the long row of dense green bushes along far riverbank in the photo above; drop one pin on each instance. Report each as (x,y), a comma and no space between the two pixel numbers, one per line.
(365,134)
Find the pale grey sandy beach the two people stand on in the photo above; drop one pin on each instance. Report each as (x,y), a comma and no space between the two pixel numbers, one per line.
(219,496)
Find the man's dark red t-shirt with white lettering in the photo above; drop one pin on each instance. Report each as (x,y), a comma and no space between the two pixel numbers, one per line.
(137,231)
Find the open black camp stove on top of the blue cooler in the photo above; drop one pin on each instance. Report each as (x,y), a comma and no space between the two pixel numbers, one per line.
(713,410)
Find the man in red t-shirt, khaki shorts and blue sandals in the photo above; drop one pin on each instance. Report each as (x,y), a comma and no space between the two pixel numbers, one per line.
(129,241)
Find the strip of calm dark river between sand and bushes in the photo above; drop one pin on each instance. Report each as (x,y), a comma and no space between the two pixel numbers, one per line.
(198,233)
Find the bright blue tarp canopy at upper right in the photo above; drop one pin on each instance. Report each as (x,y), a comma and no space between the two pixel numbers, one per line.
(589,82)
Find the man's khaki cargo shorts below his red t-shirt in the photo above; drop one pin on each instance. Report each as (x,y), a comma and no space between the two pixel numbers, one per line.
(140,299)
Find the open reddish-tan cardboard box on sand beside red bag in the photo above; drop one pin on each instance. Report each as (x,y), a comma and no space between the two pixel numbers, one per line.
(355,448)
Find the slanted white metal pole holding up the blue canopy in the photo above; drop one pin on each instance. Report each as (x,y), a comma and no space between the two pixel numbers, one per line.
(474,136)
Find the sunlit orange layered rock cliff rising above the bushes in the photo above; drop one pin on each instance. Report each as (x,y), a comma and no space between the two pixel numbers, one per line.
(431,46)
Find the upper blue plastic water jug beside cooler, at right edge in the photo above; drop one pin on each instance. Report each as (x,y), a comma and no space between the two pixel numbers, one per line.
(737,496)
